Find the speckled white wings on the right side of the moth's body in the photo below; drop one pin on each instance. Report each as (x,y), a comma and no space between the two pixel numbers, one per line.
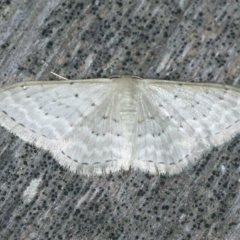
(177,122)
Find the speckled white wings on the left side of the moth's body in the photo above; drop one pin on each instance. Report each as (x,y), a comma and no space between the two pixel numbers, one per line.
(75,120)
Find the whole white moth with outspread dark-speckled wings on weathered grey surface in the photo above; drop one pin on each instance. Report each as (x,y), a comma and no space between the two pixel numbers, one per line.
(104,125)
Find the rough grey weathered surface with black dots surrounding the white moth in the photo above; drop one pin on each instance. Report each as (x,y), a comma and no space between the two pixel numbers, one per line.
(195,40)
